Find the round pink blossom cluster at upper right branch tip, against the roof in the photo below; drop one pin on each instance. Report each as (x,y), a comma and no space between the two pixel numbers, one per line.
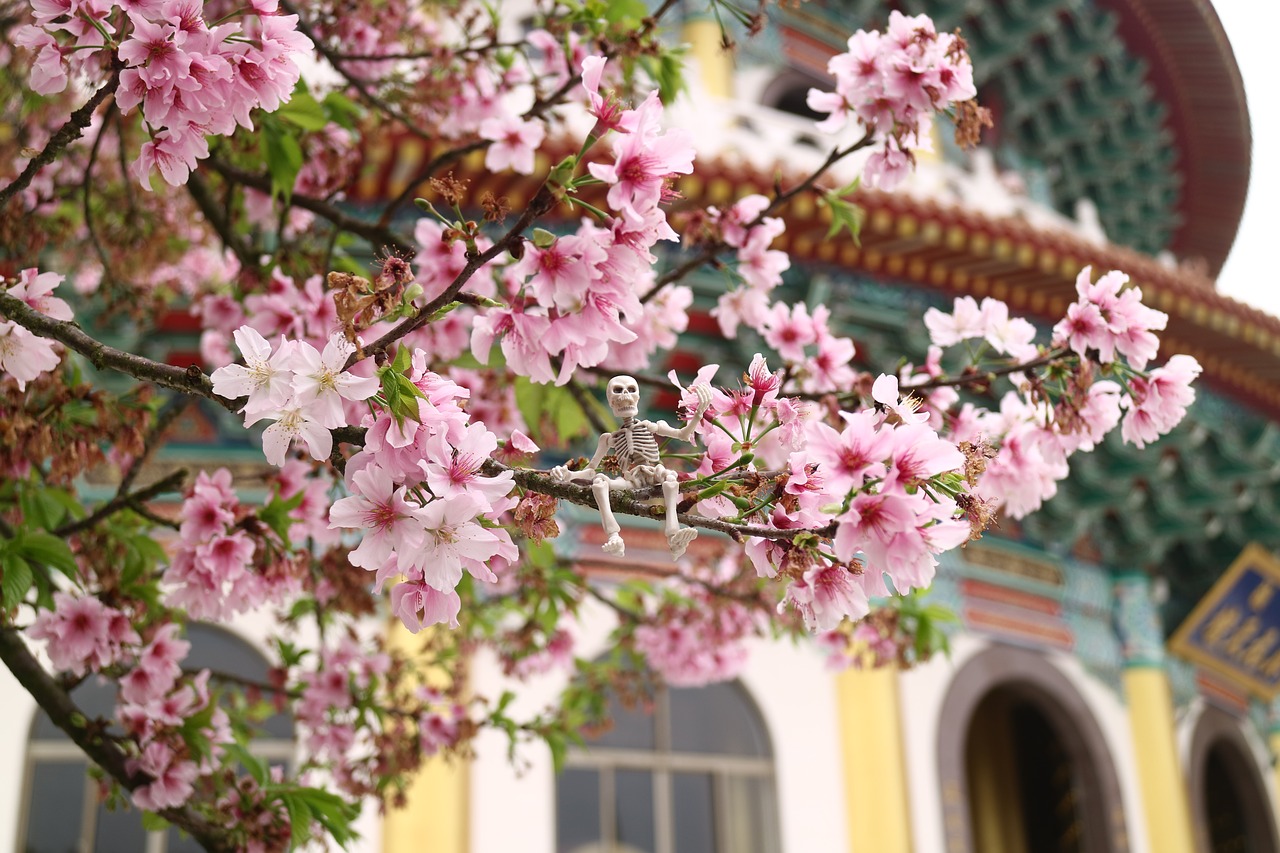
(892,84)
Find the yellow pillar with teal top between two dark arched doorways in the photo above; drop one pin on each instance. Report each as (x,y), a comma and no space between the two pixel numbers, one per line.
(1165,804)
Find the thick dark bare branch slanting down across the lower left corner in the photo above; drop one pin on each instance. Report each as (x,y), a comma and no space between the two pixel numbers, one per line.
(104,752)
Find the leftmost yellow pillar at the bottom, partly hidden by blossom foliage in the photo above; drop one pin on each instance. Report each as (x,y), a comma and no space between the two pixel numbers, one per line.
(435,818)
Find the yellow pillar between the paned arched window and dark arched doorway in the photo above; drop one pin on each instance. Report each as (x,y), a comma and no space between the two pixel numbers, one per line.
(871,741)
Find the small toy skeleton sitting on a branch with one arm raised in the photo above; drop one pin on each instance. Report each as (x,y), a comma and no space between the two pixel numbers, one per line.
(636,445)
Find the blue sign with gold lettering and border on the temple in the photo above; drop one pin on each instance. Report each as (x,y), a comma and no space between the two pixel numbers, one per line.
(1235,631)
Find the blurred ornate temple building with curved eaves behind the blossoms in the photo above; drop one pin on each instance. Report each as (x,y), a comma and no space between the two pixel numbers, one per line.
(1112,673)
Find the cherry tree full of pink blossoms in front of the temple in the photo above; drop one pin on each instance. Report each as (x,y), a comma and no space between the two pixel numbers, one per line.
(175,157)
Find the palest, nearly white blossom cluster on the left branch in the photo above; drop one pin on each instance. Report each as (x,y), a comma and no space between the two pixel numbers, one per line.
(296,387)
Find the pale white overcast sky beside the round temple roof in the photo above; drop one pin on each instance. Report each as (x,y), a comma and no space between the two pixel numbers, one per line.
(1252,272)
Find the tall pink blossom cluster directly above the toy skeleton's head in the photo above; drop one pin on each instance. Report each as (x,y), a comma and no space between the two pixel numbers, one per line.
(577,298)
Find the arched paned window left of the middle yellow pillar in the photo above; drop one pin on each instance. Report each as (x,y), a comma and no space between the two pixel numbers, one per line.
(694,777)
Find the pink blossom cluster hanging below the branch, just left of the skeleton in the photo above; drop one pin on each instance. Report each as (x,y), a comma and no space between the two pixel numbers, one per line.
(426,510)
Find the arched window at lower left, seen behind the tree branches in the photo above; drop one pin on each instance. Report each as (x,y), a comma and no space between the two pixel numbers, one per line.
(63,811)
